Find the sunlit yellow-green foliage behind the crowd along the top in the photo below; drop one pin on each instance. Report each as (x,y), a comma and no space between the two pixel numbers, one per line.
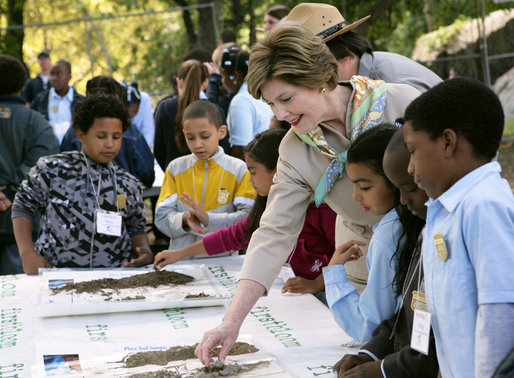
(148,48)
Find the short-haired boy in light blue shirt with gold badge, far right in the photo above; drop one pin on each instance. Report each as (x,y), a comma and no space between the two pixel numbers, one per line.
(452,133)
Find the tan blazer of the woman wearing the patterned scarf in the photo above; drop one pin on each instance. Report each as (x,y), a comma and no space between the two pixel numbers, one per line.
(299,169)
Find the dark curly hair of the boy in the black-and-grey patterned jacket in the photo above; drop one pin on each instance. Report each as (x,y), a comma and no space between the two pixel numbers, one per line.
(99,105)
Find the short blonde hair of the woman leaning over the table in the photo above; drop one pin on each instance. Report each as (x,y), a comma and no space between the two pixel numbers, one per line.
(292,53)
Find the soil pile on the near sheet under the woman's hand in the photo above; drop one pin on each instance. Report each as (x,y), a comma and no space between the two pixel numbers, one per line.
(179,353)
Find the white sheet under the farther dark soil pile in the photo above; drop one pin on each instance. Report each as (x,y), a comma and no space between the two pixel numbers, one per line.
(166,296)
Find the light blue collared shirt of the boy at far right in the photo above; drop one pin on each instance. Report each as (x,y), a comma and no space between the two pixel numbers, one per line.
(476,218)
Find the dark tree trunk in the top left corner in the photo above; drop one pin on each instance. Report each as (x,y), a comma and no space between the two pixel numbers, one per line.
(12,43)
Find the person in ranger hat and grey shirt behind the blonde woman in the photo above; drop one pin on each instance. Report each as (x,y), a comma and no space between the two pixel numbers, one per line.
(353,51)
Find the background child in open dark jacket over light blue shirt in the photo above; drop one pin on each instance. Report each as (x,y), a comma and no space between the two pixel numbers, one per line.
(56,104)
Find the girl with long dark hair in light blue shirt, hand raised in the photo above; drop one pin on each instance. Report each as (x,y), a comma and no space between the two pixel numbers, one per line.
(359,314)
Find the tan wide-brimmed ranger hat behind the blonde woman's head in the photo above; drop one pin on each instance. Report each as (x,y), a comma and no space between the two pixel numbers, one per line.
(324,20)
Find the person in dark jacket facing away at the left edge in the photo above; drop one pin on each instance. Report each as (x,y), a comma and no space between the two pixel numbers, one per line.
(25,136)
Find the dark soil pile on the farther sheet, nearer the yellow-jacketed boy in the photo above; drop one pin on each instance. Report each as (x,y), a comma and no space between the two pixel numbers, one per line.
(151,279)
